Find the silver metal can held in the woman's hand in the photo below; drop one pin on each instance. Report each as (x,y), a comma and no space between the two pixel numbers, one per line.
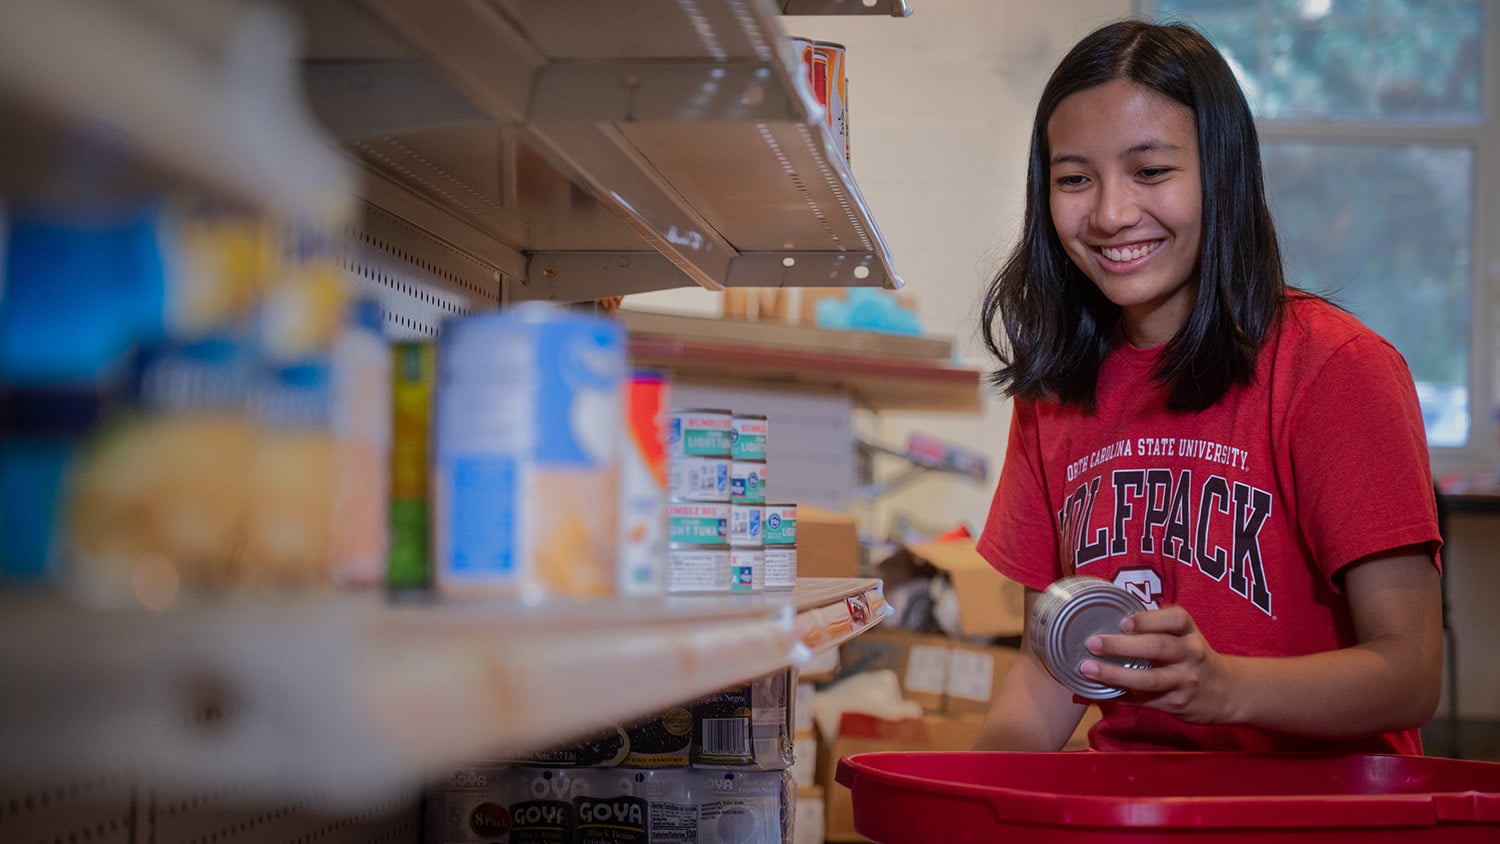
(1067,615)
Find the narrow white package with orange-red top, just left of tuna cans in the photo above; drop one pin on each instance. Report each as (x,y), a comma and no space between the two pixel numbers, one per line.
(644,486)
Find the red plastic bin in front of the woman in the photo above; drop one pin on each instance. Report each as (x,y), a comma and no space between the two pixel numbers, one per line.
(1124,798)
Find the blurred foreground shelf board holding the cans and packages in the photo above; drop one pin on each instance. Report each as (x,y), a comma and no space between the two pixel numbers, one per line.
(347,701)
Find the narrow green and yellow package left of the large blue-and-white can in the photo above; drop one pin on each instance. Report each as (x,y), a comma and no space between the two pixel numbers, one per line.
(409,569)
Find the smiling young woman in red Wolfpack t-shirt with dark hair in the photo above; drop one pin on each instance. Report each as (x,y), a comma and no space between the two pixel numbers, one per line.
(1244,458)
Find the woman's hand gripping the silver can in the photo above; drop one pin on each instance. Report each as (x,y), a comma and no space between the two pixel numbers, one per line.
(1186,678)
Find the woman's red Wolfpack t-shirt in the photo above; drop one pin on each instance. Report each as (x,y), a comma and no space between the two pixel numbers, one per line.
(1243,513)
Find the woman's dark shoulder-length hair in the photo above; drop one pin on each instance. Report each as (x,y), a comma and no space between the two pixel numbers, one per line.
(1048,323)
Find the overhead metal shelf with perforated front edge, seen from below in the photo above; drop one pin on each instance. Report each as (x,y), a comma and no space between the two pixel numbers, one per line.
(590,151)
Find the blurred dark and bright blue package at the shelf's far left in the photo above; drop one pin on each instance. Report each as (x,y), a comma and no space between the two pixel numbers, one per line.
(83,290)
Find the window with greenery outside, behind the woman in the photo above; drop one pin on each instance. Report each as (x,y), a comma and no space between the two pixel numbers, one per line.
(1378,134)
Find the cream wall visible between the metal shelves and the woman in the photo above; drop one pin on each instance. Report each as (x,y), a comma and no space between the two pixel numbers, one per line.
(940,122)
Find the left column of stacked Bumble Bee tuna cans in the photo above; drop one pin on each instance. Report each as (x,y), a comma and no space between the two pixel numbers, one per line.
(700,459)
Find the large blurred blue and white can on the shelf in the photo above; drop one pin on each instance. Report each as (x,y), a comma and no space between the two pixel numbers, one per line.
(526,470)
